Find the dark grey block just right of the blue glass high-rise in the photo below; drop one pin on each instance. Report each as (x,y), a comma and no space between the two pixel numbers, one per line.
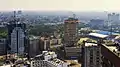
(34,44)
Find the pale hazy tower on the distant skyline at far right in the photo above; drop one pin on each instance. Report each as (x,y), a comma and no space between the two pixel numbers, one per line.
(113,18)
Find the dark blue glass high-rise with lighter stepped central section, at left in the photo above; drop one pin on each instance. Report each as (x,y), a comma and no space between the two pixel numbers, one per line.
(17,37)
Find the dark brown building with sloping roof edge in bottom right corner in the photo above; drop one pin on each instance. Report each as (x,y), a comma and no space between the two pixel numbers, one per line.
(110,56)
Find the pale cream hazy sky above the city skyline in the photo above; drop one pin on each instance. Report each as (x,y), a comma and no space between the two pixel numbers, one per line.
(74,5)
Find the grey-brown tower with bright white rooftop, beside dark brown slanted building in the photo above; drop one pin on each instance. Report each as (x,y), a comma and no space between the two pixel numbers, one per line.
(91,55)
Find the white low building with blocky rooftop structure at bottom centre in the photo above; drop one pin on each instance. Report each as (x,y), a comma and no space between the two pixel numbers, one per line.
(50,60)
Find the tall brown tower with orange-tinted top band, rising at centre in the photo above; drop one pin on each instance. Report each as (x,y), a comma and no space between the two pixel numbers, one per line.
(70,31)
